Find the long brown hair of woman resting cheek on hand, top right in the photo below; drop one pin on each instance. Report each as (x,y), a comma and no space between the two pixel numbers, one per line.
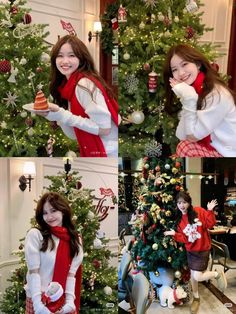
(193,55)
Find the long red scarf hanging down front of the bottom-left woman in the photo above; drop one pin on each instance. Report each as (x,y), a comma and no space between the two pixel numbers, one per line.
(63,263)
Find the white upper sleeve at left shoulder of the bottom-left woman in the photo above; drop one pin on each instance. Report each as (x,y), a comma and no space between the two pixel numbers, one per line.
(33,243)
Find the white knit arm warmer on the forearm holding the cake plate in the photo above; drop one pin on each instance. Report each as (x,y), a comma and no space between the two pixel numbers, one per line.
(65,117)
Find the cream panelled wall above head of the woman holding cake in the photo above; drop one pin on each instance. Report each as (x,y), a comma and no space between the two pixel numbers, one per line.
(80,13)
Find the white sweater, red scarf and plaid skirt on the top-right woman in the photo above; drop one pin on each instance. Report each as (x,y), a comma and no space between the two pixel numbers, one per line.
(214,126)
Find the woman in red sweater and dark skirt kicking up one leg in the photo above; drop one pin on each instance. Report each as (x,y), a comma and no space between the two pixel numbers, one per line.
(192,230)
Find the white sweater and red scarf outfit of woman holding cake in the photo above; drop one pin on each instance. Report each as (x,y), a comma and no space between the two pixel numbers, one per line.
(90,108)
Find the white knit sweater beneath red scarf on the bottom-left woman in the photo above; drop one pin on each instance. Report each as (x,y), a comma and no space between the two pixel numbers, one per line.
(44,261)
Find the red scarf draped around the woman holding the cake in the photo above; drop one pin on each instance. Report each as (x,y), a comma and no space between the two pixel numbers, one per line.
(90,145)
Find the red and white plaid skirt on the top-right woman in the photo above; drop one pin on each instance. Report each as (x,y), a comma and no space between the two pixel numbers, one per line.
(194,149)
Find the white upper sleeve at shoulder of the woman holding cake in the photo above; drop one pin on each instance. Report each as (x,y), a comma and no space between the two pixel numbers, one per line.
(93,102)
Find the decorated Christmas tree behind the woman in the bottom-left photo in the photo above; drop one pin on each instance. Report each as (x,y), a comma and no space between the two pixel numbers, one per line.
(99,279)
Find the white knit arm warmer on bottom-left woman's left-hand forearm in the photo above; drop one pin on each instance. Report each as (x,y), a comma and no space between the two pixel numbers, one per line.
(34,283)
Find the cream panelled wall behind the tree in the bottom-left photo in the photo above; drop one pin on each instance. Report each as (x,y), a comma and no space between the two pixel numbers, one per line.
(17,207)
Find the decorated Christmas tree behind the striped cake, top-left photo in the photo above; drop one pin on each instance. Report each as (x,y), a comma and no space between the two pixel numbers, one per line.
(24,69)
